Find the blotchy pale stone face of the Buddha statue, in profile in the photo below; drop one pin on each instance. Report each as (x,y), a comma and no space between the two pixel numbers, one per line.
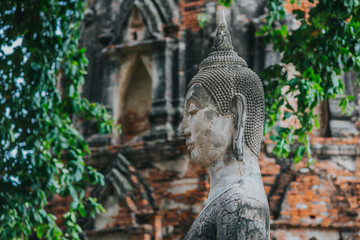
(208,133)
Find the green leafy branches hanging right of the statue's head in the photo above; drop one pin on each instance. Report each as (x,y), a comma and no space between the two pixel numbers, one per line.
(323,47)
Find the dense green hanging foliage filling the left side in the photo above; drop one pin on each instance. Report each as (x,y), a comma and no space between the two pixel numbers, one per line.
(42,154)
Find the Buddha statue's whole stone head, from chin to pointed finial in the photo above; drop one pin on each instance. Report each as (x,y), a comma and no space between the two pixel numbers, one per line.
(224,106)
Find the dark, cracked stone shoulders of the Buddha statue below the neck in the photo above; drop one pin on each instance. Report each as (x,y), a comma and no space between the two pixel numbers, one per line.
(232,215)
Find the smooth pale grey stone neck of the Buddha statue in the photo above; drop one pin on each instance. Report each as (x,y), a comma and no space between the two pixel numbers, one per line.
(227,172)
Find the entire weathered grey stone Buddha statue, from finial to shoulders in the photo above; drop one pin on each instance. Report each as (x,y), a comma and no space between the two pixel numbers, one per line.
(223,125)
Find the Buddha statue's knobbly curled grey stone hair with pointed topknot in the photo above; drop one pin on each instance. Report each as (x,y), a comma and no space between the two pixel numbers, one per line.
(223,74)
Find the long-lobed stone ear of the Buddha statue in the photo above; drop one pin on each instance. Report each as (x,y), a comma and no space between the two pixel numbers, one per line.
(239,111)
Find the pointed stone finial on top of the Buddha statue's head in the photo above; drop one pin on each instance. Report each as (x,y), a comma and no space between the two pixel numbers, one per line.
(222,39)
